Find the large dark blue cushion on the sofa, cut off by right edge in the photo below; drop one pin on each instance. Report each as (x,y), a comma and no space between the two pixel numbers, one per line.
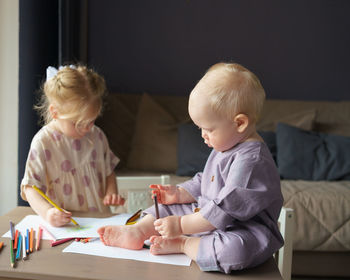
(307,155)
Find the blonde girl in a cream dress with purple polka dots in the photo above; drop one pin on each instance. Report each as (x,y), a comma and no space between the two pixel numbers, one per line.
(69,159)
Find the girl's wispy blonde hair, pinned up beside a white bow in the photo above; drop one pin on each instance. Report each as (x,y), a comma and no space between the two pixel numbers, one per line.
(76,93)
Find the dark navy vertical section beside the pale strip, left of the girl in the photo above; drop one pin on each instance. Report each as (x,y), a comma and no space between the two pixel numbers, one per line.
(38,43)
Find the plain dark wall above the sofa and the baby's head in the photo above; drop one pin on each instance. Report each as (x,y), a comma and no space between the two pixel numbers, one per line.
(299,49)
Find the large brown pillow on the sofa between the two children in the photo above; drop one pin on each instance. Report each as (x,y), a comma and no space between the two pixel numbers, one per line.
(153,146)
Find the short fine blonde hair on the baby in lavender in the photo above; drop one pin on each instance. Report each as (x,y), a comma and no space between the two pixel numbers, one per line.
(232,89)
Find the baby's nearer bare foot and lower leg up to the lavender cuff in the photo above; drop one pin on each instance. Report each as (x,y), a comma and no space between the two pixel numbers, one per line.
(182,244)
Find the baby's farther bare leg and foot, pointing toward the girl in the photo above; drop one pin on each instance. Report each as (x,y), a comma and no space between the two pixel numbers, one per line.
(129,237)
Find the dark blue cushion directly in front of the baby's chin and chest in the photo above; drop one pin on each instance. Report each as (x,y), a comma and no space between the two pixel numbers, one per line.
(192,152)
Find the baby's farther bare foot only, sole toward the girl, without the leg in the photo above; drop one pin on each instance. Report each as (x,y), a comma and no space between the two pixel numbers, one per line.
(129,237)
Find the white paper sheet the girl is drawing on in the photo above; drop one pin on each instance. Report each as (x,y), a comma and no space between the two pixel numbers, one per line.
(88,226)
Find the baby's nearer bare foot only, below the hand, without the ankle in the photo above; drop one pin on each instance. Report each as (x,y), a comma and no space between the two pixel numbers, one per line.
(164,246)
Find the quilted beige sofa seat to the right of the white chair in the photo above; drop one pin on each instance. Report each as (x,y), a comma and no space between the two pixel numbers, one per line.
(321,213)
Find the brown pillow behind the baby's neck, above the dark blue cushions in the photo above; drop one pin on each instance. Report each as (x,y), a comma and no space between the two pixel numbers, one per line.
(302,119)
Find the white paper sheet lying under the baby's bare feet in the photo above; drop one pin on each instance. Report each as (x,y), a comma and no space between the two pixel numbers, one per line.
(96,248)
